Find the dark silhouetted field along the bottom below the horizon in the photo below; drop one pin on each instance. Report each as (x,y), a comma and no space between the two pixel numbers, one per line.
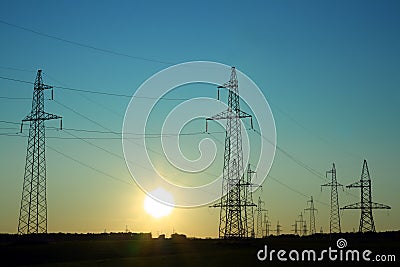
(141,250)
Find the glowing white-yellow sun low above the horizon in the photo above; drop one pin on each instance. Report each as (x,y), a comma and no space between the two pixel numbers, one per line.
(156,208)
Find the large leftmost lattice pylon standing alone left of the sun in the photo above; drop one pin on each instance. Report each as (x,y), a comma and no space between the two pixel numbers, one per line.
(33,211)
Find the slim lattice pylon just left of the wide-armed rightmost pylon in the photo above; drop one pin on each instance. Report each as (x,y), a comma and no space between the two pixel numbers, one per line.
(334,224)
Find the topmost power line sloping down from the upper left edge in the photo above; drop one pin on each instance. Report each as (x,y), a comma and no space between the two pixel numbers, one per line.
(103,50)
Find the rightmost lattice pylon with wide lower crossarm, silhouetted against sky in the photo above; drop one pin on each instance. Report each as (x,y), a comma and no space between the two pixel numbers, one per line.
(366,205)
